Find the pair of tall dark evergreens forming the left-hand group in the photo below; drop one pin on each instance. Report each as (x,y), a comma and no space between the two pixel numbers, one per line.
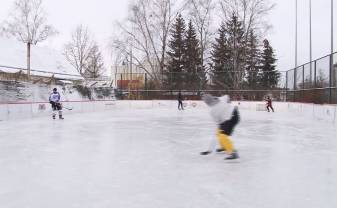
(184,68)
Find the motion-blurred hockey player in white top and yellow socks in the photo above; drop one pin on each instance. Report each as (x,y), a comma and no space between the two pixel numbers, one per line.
(227,117)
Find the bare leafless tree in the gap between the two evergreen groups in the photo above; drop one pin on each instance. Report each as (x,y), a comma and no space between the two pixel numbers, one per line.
(201,13)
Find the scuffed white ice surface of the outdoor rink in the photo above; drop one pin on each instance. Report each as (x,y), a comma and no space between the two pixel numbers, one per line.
(149,158)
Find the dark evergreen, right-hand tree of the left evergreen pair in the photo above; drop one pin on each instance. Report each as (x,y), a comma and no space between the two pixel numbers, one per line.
(195,74)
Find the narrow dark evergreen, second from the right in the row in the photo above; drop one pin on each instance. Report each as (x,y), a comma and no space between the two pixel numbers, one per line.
(252,62)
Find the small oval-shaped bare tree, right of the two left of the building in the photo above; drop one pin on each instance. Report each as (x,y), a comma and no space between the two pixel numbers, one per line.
(95,64)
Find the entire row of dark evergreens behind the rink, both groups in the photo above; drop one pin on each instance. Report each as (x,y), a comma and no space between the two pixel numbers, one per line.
(238,60)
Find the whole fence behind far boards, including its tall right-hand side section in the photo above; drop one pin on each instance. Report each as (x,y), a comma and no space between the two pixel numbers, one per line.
(313,82)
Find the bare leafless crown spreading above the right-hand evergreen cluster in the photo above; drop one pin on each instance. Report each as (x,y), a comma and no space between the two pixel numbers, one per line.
(252,13)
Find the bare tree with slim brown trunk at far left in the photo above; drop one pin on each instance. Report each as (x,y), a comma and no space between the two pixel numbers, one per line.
(27,23)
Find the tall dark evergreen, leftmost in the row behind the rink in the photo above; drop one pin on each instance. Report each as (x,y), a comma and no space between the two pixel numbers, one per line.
(174,76)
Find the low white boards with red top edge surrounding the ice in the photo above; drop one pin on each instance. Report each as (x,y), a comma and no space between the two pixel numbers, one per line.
(19,110)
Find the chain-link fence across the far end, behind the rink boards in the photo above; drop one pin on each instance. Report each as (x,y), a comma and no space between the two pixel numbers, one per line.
(139,86)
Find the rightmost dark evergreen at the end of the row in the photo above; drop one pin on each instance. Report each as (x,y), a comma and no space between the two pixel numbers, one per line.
(269,75)
